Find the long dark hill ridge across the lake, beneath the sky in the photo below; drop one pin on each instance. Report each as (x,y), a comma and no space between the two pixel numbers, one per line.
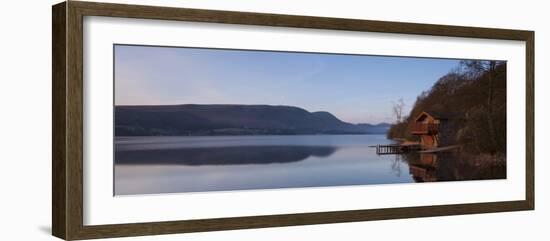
(230,120)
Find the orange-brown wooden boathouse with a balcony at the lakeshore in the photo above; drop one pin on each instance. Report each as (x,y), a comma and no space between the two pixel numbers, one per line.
(430,127)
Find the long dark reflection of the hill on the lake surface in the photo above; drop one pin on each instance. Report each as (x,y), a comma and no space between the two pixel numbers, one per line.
(223,155)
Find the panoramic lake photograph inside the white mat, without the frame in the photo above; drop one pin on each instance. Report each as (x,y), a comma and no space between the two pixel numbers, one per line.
(203,119)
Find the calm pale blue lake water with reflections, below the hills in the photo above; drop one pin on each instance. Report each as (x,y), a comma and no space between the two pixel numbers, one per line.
(149,165)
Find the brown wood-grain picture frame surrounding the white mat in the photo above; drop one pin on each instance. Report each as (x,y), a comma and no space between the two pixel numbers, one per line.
(67,149)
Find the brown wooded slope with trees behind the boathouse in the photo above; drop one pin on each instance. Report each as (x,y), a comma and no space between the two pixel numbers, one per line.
(474,93)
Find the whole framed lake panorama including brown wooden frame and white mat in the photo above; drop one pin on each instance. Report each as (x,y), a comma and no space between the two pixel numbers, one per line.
(171,120)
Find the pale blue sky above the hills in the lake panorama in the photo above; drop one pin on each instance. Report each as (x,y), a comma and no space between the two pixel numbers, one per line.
(355,88)
